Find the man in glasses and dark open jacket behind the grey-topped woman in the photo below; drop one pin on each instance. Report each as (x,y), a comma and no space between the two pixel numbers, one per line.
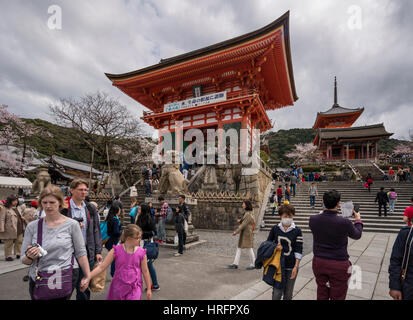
(88,218)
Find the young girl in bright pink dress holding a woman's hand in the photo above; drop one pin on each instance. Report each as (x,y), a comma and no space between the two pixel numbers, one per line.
(131,264)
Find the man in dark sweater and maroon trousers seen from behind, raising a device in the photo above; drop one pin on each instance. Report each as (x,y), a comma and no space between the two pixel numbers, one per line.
(331,264)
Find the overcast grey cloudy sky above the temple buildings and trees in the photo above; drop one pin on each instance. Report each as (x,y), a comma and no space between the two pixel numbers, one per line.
(367,44)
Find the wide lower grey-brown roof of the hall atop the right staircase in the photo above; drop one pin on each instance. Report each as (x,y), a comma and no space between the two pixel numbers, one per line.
(371,131)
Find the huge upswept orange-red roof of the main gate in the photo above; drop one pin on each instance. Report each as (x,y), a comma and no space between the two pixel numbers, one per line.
(272,40)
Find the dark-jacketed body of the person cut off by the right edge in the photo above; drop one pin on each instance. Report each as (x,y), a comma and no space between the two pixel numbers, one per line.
(401,247)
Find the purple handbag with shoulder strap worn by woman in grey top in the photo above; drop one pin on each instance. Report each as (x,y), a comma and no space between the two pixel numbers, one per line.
(51,285)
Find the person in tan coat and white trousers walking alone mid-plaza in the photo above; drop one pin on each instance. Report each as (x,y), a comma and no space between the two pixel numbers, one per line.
(246,237)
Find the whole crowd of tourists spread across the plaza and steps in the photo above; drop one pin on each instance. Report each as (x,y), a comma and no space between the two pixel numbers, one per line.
(63,230)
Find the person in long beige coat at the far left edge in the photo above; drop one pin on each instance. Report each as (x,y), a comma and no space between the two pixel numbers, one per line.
(11,228)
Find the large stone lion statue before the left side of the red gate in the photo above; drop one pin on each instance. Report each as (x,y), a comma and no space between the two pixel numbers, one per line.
(172,180)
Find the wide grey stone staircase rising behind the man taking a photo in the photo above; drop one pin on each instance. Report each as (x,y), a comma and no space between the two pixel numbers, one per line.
(349,191)
